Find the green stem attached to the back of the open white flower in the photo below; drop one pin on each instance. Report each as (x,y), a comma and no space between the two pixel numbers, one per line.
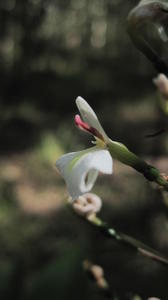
(120,152)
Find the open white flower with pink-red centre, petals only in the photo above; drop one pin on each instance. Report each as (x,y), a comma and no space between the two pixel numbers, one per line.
(80,169)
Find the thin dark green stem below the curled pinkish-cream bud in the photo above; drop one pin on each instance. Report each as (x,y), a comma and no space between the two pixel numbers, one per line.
(128,241)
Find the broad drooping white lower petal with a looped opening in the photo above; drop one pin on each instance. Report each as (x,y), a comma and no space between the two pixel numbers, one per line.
(80,169)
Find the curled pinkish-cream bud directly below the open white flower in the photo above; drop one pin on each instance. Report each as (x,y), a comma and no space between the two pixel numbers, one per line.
(87,205)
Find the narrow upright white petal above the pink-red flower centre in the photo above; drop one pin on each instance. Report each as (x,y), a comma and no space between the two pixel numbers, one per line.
(89,116)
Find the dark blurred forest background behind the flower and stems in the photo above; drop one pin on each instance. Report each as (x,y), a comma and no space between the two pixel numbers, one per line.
(51,51)
